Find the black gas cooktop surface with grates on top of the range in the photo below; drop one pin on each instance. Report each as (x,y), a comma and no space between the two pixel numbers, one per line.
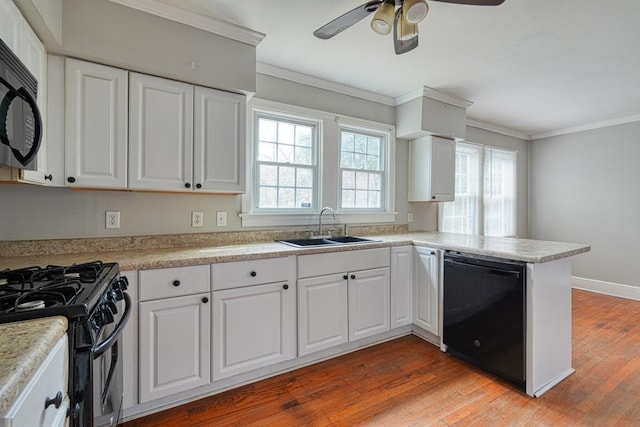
(71,291)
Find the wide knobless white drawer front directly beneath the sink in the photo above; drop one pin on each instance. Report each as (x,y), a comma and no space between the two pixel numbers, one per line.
(341,262)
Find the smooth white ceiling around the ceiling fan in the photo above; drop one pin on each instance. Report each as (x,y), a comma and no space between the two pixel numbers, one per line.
(532,67)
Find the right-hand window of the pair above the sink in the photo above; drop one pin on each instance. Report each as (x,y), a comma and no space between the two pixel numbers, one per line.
(361,170)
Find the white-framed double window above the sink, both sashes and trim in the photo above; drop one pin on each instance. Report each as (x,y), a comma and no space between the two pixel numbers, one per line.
(302,160)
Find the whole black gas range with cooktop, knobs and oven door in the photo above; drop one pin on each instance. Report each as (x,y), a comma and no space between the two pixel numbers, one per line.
(93,298)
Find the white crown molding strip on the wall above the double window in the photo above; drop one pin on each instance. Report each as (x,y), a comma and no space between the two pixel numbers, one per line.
(305,79)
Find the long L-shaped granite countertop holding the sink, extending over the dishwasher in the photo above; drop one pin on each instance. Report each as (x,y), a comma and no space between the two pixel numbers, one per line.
(533,251)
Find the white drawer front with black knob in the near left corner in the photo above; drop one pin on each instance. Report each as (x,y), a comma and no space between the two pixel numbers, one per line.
(49,379)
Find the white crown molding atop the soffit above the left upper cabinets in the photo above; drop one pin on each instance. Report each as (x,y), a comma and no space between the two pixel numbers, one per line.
(202,22)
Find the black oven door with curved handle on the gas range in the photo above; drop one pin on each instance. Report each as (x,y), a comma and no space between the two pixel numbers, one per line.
(107,369)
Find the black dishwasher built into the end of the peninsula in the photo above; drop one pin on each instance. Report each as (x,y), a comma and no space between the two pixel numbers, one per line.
(484,313)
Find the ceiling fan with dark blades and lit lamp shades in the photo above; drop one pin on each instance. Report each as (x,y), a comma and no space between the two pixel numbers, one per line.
(401,16)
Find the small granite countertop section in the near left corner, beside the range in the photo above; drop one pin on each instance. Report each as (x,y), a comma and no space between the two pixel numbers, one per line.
(23,347)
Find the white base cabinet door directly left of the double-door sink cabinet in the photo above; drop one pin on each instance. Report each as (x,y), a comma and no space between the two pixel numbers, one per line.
(253,327)
